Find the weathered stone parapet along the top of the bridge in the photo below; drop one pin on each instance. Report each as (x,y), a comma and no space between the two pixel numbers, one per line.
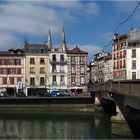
(125,87)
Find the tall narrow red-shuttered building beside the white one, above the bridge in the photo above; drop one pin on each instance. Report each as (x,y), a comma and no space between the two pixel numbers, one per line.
(119,47)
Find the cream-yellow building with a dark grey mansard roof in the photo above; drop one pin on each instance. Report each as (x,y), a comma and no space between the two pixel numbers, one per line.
(36,68)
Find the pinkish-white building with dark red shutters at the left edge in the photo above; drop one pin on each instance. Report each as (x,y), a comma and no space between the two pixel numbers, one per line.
(12,70)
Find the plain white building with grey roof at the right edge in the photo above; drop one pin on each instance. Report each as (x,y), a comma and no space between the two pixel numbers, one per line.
(133,54)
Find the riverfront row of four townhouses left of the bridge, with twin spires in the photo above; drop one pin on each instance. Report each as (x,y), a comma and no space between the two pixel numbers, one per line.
(40,66)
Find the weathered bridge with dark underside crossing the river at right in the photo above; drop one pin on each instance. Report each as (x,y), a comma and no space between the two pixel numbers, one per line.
(126,95)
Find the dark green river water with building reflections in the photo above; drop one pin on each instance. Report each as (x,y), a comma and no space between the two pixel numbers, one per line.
(56,126)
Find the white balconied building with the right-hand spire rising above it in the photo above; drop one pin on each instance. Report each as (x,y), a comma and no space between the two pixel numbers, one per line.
(58,66)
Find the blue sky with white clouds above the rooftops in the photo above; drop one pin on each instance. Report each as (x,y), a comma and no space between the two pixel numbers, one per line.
(88,24)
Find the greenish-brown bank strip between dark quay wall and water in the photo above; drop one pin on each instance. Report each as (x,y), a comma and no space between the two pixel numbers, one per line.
(83,108)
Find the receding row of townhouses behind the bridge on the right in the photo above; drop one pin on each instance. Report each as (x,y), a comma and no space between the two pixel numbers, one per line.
(123,64)
